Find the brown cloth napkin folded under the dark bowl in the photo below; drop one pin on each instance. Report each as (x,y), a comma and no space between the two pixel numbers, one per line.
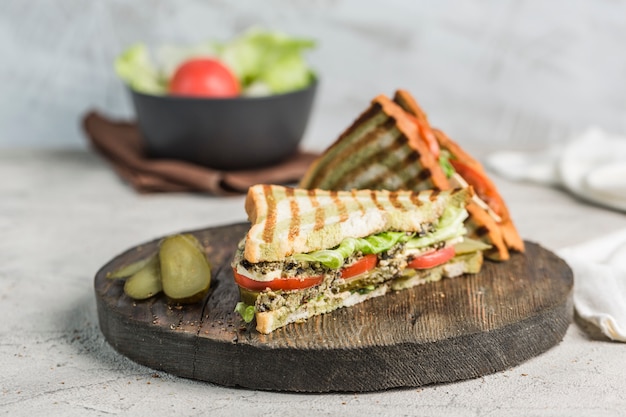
(122,144)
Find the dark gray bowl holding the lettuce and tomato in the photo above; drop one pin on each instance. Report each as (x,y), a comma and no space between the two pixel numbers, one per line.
(224,133)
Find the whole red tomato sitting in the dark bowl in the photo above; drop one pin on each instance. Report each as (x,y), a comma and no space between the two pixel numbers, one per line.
(204,77)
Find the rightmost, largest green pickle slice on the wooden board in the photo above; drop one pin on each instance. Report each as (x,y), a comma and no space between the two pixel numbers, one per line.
(185,270)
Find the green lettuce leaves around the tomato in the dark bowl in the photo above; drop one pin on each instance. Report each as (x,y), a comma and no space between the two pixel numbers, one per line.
(265,62)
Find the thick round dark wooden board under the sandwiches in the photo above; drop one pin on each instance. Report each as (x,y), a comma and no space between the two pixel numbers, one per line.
(445,331)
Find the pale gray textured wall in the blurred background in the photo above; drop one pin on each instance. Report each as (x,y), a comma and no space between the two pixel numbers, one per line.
(505,71)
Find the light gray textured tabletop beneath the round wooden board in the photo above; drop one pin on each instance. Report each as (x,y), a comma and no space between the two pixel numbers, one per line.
(64,213)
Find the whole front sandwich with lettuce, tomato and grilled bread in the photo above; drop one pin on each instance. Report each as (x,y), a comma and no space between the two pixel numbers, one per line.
(310,252)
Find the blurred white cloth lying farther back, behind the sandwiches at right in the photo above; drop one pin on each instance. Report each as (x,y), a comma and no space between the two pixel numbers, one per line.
(591,166)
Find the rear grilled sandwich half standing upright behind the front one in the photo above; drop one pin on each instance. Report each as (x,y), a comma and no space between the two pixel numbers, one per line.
(392,146)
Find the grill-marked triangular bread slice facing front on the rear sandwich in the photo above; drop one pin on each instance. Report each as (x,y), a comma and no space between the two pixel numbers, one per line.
(382,149)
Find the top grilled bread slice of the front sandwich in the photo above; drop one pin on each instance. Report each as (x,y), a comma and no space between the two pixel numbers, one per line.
(287,221)
